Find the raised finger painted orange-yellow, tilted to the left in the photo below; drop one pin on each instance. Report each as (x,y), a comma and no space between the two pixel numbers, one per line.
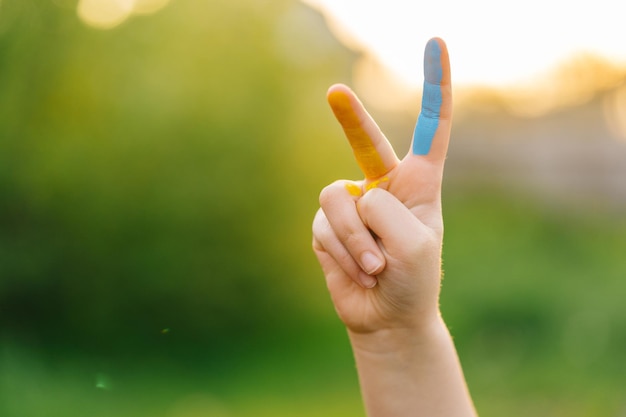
(373,153)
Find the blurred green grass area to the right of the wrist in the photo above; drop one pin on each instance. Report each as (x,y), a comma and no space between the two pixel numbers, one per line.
(534,298)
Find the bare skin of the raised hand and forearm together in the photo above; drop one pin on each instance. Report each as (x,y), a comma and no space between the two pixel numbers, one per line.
(380,251)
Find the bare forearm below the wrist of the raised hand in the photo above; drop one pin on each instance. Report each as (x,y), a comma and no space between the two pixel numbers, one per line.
(416,373)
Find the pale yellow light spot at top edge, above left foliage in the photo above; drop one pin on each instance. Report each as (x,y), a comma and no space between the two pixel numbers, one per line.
(107,14)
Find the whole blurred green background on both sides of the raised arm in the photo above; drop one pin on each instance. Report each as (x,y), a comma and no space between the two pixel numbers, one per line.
(157,184)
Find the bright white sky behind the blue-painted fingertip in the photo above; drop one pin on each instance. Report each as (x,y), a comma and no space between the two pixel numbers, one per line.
(491,42)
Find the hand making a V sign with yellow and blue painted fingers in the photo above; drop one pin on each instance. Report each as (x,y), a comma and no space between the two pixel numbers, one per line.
(379,240)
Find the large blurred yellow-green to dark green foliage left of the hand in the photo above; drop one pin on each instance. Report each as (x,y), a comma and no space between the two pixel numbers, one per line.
(162,174)
